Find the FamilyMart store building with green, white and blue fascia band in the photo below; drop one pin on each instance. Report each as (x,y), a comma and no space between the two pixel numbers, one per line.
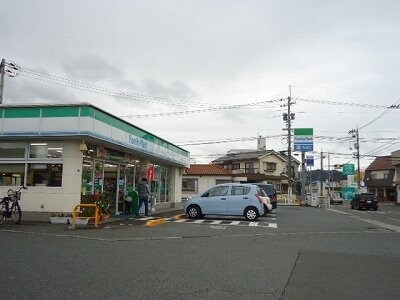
(67,153)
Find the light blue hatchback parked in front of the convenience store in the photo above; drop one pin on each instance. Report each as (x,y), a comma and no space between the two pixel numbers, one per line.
(232,199)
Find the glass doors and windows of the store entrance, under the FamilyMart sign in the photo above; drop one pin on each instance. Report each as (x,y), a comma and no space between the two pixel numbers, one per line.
(112,177)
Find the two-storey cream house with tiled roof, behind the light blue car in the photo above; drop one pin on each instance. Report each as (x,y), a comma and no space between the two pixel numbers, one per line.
(260,166)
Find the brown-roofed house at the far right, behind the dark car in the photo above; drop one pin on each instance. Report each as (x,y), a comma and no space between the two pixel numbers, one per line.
(380,177)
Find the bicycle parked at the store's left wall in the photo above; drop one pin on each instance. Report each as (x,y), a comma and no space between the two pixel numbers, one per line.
(14,211)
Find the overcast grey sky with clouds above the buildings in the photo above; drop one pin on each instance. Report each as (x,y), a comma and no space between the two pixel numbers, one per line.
(173,68)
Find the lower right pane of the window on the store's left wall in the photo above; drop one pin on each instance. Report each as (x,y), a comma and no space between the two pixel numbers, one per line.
(44,174)
